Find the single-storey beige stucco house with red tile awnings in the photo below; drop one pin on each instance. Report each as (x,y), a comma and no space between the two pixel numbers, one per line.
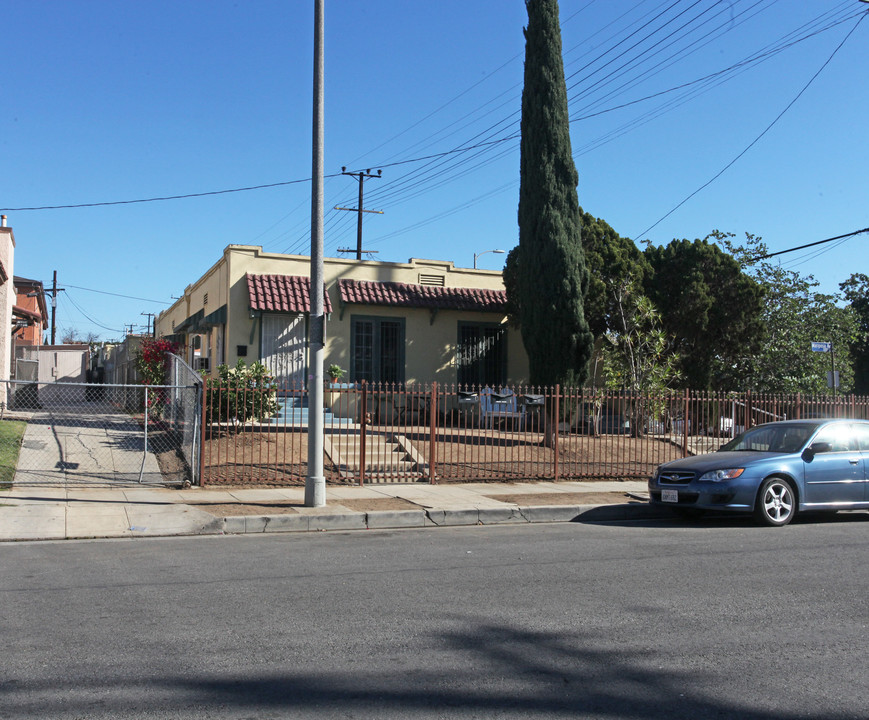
(416,322)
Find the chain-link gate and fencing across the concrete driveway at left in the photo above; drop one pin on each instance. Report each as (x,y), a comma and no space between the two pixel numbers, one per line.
(99,435)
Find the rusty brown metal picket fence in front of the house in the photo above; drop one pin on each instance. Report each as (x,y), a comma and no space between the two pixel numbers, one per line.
(438,434)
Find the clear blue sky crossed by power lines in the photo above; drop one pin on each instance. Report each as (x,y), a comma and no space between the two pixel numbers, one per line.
(106,102)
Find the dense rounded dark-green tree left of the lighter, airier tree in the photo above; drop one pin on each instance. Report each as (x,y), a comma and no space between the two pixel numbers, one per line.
(710,309)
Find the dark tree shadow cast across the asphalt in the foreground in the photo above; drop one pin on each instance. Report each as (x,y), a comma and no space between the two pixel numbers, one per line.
(477,670)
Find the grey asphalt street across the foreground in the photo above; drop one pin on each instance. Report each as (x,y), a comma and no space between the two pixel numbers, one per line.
(716,619)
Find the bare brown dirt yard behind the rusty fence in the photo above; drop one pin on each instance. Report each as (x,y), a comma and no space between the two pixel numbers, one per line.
(276,458)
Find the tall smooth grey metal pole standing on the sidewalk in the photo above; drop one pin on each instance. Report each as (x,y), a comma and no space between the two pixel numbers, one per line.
(315,481)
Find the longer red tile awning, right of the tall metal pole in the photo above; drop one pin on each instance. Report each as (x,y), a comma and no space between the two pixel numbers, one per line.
(422,296)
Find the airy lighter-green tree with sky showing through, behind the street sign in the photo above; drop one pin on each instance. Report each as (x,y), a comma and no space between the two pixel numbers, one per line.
(794,315)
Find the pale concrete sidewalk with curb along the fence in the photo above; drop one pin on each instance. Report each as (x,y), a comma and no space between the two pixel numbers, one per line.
(56,512)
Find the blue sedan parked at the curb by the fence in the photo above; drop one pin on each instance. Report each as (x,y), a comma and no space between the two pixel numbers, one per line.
(774,471)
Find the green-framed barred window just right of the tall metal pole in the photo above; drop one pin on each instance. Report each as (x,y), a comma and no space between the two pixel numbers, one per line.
(377,349)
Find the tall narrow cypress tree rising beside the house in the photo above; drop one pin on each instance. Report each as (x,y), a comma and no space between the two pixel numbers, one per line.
(552,274)
